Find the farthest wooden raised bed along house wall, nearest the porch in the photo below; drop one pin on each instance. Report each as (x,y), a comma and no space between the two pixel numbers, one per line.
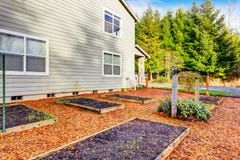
(127,98)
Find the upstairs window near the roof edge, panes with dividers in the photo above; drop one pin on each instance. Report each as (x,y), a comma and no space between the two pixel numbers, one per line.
(112,24)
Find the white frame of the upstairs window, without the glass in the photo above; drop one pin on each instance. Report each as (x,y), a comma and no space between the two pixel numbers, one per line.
(121,27)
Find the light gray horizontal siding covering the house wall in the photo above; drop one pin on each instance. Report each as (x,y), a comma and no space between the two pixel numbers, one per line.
(74,29)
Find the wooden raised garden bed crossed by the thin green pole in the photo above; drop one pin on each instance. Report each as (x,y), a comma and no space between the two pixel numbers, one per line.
(20,117)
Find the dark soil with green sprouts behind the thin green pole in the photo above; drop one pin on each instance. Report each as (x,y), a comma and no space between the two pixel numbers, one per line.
(19,115)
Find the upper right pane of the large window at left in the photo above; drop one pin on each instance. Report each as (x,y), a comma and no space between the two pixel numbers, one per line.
(36,47)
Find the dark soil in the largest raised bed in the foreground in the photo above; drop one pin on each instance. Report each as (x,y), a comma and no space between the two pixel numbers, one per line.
(137,139)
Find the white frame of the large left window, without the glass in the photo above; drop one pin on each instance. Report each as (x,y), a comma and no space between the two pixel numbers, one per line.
(24,72)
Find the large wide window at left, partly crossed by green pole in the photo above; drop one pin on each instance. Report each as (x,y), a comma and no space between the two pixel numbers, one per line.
(24,54)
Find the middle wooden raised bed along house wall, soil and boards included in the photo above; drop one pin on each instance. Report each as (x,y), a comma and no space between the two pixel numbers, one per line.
(91,104)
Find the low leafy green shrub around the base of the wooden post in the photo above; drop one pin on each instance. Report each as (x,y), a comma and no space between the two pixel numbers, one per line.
(186,108)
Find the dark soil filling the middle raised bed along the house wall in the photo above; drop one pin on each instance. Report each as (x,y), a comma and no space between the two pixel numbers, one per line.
(92,103)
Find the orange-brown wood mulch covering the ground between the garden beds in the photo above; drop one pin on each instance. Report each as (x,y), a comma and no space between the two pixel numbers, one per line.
(219,138)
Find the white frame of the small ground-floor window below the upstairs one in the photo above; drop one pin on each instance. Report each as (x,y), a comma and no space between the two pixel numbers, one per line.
(112,75)
